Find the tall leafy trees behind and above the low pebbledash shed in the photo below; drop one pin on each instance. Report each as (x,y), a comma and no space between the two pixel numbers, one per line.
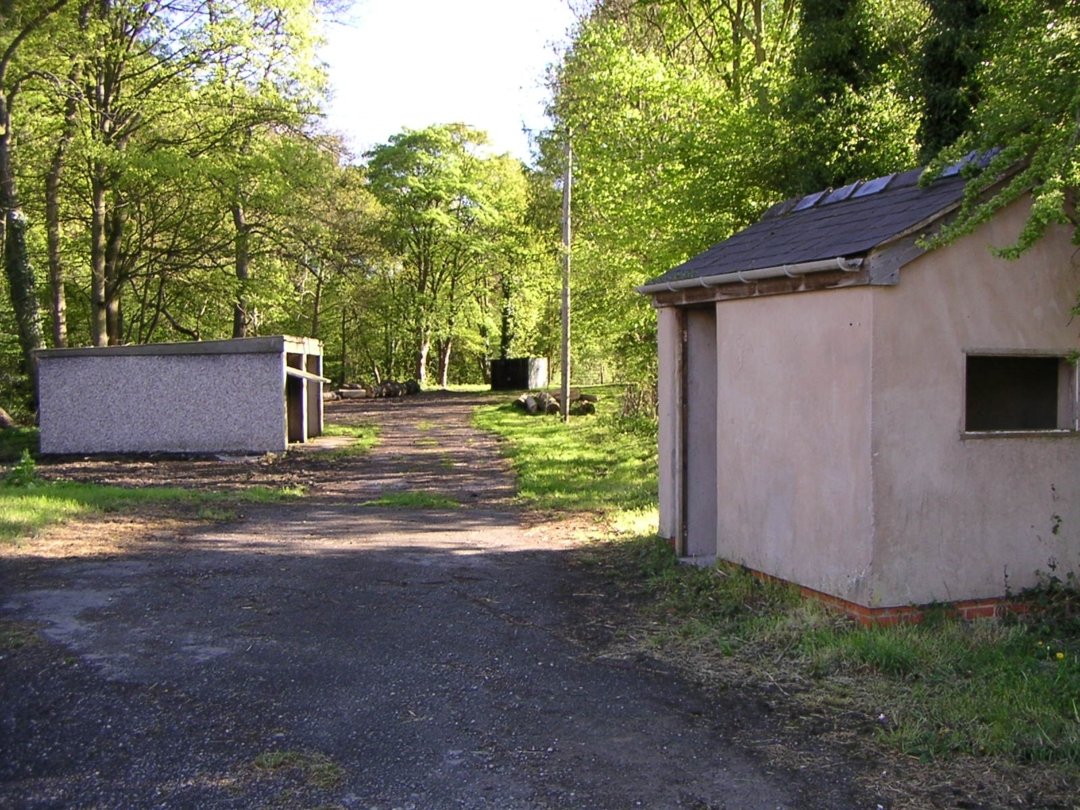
(172,171)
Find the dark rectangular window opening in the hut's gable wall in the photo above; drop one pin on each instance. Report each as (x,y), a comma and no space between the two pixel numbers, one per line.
(1012,394)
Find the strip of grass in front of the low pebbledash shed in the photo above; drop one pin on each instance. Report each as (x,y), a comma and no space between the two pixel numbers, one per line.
(26,510)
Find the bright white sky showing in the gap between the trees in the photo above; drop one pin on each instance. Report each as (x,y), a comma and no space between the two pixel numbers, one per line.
(414,63)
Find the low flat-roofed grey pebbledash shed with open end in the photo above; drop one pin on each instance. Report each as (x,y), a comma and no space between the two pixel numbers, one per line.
(239,396)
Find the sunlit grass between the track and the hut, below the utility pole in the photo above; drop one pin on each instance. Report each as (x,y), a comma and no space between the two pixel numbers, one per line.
(598,464)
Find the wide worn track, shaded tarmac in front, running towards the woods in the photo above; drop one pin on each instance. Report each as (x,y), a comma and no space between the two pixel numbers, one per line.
(331,654)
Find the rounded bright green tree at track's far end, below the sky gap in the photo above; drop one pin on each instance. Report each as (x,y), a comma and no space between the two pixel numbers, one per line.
(455,221)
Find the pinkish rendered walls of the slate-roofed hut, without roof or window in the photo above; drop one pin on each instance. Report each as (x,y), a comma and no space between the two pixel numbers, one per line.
(835,451)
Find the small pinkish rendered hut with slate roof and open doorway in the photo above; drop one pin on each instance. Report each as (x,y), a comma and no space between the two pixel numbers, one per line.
(879,424)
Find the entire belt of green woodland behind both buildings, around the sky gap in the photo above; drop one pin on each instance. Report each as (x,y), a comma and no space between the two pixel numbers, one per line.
(166,173)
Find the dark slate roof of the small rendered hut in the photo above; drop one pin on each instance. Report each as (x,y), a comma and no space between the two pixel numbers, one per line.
(846,223)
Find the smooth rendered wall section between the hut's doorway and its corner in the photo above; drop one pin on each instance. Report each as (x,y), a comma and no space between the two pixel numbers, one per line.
(794,438)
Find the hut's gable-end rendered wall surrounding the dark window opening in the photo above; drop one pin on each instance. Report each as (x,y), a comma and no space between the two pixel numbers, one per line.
(955,514)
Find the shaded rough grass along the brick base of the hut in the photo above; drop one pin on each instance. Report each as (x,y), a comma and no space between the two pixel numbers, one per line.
(1006,688)
